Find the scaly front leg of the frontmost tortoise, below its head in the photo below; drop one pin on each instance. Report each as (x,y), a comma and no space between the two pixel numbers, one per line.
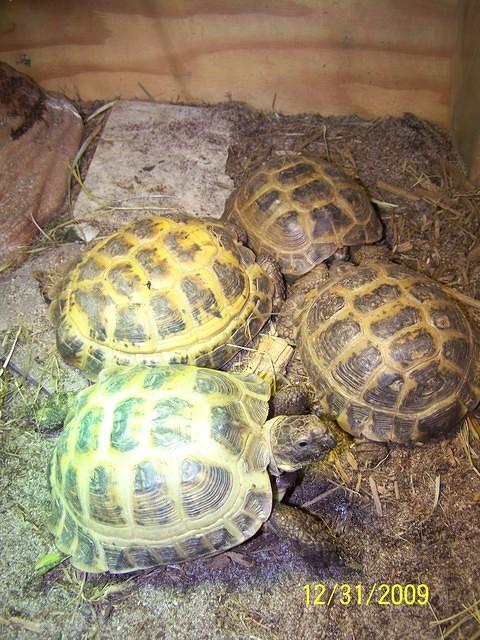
(307,532)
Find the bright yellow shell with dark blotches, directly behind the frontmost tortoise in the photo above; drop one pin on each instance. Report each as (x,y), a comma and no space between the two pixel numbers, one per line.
(158,291)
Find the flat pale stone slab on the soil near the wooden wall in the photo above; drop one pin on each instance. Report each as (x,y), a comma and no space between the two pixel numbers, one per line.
(156,158)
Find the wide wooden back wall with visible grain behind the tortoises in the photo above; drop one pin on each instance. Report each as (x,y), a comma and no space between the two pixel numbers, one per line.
(371,57)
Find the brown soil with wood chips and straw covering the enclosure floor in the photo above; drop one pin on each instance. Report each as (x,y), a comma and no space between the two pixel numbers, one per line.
(407,517)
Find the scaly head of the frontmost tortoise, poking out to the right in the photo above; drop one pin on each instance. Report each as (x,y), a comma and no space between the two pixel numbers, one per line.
(298,440)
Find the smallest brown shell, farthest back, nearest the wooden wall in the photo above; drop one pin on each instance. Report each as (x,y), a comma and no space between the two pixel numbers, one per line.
(302,211)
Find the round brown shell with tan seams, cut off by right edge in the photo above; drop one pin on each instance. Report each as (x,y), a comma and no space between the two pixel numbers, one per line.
(392,356)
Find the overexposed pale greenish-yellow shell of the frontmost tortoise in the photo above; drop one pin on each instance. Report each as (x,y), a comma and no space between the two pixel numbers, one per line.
(160,466)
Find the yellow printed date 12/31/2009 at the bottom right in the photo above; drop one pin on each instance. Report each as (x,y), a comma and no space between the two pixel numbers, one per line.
(318,594)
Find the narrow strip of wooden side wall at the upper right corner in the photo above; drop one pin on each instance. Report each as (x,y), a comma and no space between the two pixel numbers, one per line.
(466,107)
